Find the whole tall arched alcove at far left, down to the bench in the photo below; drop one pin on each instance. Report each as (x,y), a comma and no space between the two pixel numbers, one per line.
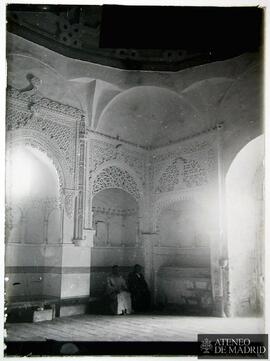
(33,225)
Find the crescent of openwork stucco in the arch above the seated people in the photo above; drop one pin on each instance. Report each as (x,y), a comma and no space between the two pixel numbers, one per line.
(114,177)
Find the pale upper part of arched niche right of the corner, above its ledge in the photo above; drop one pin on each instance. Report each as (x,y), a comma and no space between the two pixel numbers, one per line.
(183,224)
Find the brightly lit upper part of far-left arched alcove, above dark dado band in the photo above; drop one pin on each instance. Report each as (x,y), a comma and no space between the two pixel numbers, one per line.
(33,192)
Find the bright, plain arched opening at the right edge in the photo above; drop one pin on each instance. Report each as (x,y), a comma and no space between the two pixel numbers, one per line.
(245,222)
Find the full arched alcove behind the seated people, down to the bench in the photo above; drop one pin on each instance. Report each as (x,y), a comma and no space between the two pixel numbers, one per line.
(117,239)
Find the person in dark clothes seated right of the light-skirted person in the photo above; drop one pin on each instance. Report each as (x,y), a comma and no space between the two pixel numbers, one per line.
(140,294)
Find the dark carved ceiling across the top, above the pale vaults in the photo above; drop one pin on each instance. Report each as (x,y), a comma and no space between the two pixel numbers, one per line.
(140,37)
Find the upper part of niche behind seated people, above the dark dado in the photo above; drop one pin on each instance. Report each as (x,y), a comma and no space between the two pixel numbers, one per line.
(115,218)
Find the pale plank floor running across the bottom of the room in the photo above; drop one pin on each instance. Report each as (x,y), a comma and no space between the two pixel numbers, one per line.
(130,328)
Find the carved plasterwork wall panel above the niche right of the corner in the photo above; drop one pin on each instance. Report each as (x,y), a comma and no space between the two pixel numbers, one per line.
(187,170)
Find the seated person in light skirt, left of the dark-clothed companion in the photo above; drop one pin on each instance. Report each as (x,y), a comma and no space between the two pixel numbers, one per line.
(119,297)
